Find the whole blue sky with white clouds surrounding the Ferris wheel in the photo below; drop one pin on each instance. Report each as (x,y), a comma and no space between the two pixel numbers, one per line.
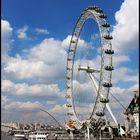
(35,39)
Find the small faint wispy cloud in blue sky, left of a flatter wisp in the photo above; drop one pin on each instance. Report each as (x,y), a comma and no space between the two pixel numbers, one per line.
(21,33)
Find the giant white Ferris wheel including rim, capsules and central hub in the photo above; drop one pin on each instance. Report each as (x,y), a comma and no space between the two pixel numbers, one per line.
(103,84)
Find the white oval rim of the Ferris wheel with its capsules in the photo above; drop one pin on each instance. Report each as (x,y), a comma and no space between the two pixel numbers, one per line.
(106,65)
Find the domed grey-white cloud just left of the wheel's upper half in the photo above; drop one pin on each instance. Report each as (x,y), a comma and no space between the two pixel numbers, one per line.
(49,51)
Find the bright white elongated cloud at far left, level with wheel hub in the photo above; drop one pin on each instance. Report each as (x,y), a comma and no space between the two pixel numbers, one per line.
(18,68)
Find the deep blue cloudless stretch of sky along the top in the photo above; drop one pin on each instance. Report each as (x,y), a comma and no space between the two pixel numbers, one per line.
(51,14)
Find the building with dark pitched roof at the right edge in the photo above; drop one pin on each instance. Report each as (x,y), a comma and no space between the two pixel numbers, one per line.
(132,116)
